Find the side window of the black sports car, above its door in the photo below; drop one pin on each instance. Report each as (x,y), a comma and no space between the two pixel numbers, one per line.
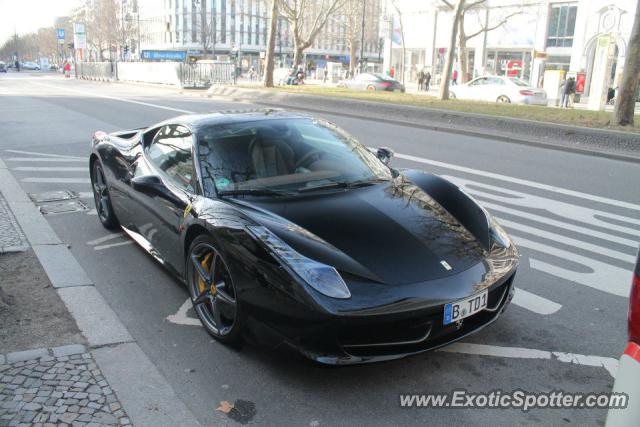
(170,151)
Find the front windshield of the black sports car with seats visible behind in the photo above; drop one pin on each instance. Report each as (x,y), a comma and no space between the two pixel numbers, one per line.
(283,155)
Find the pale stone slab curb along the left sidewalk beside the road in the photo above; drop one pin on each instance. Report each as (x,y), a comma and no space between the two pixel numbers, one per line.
(144,392)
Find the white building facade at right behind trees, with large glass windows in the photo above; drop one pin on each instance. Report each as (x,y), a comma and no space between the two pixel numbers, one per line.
(530,37)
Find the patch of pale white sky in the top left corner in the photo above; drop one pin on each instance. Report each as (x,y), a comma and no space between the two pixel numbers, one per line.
(26,16)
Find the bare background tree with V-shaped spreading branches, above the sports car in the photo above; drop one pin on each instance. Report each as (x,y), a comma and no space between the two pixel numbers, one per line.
(306,19)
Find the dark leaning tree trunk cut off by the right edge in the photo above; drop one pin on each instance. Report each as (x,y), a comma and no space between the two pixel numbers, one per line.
(626,99)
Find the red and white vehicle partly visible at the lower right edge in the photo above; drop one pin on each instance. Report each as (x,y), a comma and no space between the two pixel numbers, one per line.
(628,375)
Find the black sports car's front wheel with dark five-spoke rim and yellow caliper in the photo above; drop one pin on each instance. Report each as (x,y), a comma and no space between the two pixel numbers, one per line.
(220,311)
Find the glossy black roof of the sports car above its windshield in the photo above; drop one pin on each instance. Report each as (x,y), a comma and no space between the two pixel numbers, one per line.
(197,121)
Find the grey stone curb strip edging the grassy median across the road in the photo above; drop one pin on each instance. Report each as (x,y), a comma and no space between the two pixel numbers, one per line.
(611,144)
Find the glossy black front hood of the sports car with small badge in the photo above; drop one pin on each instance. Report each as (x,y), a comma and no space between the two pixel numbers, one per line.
(393,232)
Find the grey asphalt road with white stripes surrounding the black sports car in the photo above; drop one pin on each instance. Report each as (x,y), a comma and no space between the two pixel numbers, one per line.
(575,217)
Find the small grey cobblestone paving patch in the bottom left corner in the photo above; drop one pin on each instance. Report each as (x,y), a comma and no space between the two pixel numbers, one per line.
(56,387)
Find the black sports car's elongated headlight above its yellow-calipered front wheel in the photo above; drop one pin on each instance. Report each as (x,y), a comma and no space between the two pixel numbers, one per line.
(321,277)
